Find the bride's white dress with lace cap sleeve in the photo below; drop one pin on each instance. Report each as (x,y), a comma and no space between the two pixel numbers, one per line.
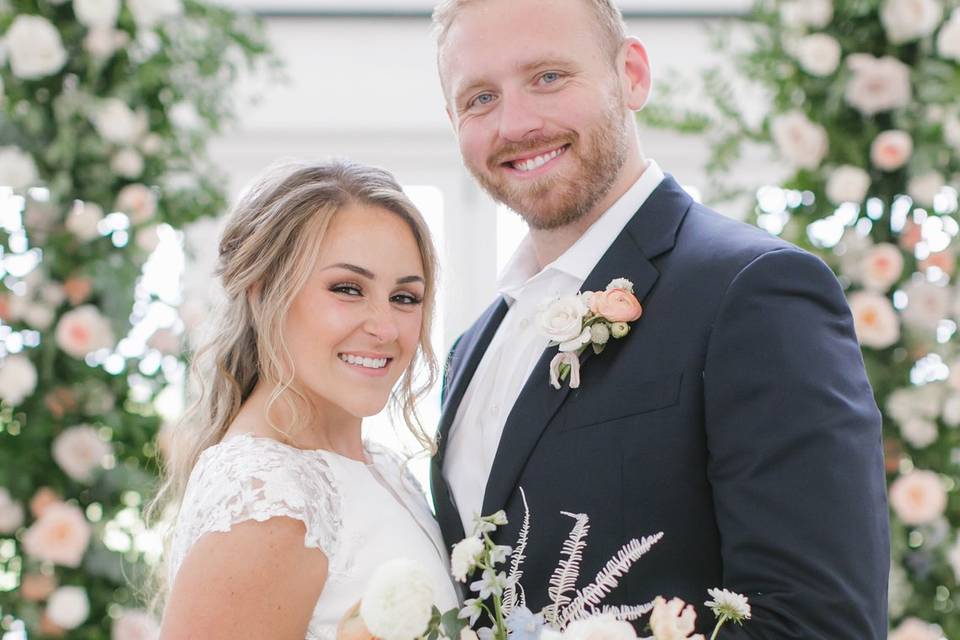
(360,515)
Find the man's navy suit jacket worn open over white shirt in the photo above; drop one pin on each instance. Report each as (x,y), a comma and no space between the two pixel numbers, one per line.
(736,418)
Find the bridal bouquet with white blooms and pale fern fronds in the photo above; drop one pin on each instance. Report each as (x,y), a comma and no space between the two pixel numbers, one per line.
(397,604)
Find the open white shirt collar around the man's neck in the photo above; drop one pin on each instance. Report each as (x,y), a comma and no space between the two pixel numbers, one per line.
(581,258)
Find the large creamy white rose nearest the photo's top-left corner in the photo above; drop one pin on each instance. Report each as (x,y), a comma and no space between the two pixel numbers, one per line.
(34,47)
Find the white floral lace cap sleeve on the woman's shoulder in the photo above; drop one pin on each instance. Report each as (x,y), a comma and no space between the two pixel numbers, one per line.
(251,478)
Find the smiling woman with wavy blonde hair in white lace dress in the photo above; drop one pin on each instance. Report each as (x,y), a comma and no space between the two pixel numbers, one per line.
(284,511)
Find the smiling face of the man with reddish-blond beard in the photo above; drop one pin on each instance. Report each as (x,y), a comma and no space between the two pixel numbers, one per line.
(537,105)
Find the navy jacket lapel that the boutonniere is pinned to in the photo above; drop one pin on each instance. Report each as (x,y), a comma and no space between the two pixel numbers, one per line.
(651,232)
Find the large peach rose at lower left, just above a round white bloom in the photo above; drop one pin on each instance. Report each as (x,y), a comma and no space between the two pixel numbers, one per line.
(61,535)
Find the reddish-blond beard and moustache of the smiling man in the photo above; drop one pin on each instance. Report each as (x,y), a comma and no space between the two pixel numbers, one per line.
(565,196)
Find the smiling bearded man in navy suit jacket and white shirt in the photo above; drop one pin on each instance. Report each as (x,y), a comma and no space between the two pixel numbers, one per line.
(735,417)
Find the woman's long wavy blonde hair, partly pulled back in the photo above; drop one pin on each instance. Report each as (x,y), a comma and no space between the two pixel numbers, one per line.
(267,251)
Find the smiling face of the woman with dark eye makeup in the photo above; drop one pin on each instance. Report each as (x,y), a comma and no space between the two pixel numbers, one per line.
(355,326)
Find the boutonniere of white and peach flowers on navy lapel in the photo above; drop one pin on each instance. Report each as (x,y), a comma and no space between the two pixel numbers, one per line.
(588,319)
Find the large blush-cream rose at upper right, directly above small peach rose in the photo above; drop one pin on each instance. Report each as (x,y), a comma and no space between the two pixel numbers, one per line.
(878,84)
